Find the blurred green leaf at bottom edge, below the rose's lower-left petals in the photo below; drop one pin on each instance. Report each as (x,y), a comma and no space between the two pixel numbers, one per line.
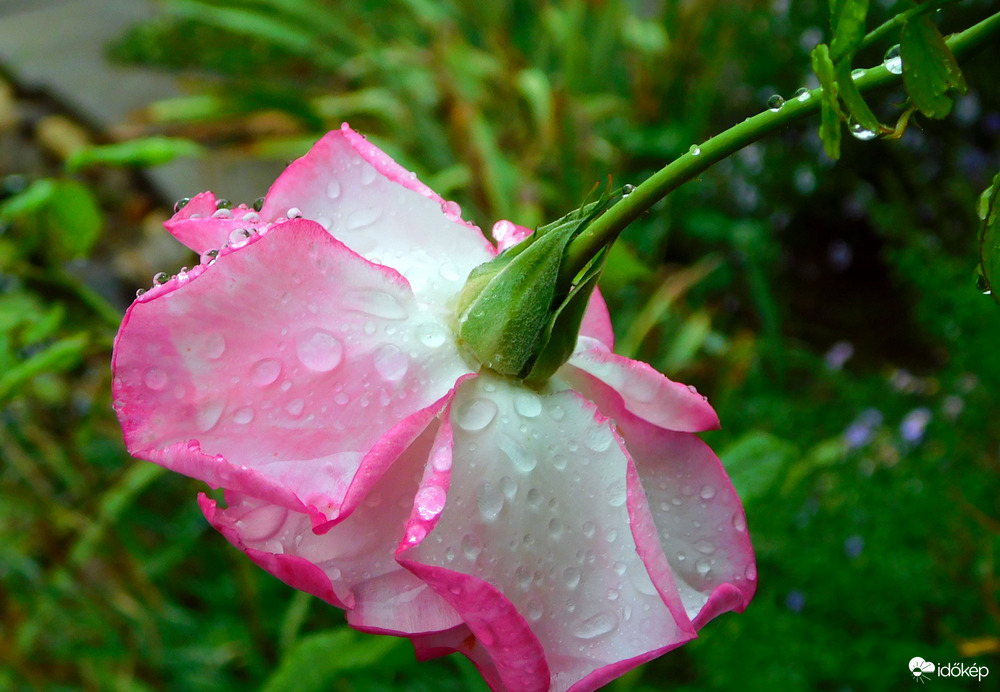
(319,660)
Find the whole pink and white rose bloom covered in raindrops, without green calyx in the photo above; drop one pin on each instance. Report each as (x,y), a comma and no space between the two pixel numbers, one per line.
(557,537)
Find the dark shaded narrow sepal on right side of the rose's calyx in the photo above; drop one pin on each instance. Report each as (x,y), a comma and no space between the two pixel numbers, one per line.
(560,336)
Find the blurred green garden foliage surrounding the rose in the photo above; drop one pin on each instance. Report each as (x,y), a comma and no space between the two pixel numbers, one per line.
(828,310)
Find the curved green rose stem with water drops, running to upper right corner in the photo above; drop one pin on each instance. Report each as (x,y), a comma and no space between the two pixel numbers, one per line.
(605,229)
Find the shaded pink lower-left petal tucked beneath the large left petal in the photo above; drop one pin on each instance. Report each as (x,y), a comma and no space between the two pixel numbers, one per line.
(353,559)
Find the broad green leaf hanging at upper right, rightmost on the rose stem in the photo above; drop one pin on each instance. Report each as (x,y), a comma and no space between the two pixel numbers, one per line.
(929,68)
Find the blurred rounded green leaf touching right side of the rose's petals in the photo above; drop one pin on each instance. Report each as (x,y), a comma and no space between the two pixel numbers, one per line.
(755,461)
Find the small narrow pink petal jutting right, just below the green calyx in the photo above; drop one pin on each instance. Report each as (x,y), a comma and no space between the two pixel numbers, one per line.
(604,376)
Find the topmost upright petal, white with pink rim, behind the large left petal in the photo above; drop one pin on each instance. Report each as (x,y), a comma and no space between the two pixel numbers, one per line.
(382,212)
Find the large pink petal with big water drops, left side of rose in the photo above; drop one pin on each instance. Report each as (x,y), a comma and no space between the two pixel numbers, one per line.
(286,361)
